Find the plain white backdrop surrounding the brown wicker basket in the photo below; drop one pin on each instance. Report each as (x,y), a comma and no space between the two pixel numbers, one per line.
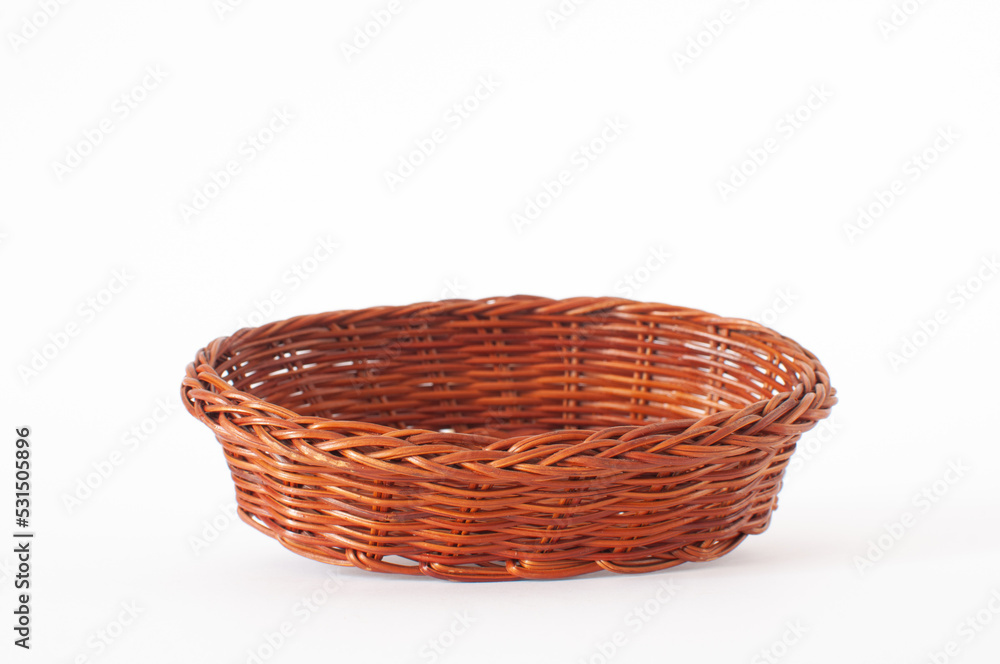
(779,249)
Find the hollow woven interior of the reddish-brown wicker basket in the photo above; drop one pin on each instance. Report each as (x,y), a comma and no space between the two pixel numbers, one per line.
(512,375)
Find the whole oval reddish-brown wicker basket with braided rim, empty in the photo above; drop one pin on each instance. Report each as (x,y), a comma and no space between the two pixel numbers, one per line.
(511,437)
